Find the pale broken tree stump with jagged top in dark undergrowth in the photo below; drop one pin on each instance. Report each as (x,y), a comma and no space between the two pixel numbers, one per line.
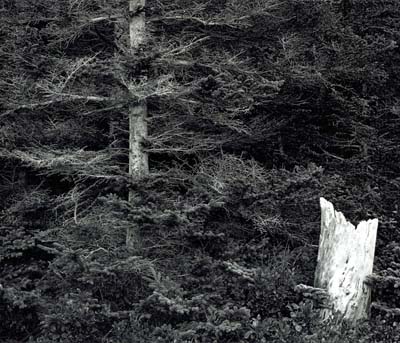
(345,259)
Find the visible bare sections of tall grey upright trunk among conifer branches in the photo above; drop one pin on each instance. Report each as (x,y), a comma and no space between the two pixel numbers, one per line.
(138,159)
